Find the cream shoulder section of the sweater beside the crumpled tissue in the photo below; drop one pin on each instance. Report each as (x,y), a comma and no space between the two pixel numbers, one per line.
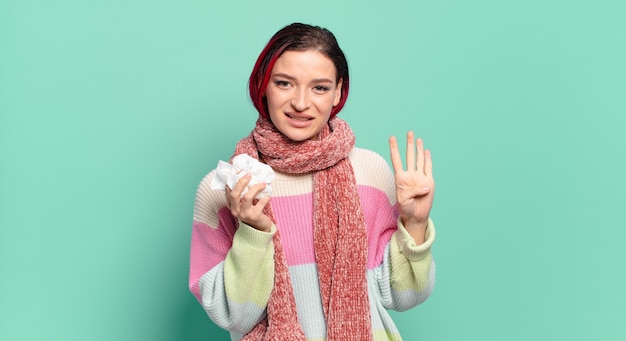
(208,201)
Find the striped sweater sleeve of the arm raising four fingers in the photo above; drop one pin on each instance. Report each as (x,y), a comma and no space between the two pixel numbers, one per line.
(403,271)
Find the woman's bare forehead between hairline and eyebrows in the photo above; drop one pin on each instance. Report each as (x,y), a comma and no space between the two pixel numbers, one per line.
(305,63)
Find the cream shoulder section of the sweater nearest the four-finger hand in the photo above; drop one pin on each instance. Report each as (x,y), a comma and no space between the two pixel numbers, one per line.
(372,170)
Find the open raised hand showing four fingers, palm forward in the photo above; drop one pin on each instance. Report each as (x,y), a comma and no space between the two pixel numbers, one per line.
(415,186)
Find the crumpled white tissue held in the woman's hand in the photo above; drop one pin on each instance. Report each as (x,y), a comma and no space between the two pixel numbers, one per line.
(229,174)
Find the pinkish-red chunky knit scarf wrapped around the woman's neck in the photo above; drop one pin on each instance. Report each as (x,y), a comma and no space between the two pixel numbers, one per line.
(340,238)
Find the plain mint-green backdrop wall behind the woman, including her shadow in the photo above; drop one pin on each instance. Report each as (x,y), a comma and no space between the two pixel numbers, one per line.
(111,112)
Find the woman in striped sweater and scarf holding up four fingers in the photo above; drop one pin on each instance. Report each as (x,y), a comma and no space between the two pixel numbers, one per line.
(341,239)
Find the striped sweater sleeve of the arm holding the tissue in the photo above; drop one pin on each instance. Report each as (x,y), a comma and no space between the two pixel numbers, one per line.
(231,263)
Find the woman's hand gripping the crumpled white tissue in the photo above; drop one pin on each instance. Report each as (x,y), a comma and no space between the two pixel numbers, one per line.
(245,207)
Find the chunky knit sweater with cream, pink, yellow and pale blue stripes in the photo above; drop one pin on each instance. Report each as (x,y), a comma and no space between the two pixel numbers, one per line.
(232,264)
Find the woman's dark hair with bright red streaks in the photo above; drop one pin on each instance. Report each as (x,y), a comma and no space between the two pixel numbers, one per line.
(297,37)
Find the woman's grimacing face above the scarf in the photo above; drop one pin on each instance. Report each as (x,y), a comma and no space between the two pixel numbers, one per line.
(301,93)
